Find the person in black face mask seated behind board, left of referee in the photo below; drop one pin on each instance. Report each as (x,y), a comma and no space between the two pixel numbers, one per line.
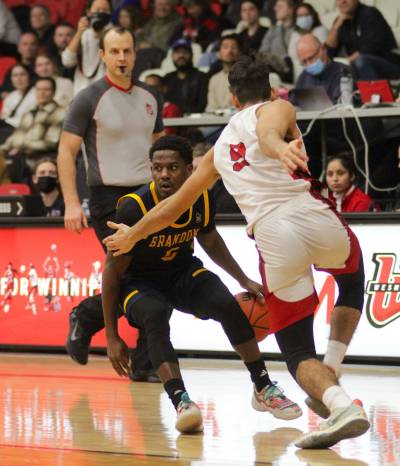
(45,180)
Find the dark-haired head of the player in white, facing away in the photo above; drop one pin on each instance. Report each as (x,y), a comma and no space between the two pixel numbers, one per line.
(249,80)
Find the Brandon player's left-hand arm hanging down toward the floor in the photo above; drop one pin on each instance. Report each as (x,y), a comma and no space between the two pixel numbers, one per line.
(117,350)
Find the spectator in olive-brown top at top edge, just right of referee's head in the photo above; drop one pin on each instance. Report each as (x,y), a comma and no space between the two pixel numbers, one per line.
(158,31)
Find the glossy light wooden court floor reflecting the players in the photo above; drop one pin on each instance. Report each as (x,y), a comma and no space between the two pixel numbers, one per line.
(54,412)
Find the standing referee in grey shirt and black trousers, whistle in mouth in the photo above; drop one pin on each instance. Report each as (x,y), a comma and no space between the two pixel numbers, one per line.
(115,121)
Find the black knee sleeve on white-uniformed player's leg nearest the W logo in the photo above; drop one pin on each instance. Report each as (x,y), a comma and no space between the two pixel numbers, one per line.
(351,288)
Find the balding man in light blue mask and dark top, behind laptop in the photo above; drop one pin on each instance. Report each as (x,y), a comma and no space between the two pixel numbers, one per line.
(318,69)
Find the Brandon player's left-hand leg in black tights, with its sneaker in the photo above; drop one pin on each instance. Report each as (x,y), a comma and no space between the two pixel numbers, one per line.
(151,313)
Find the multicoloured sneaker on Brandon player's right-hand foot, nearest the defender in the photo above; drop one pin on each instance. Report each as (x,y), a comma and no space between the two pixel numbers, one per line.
(272,399)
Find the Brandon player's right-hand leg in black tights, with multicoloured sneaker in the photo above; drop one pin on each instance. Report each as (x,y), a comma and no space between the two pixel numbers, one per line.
(205,296)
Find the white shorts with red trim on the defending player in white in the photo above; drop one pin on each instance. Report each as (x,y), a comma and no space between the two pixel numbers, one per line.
(302,233)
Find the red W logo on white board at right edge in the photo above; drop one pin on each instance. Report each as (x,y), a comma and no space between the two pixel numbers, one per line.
(383,291)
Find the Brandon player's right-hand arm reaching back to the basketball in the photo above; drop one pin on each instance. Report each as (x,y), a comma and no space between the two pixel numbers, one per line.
(215,247)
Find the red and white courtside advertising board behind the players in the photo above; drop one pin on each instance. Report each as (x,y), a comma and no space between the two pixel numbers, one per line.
(46,271)
